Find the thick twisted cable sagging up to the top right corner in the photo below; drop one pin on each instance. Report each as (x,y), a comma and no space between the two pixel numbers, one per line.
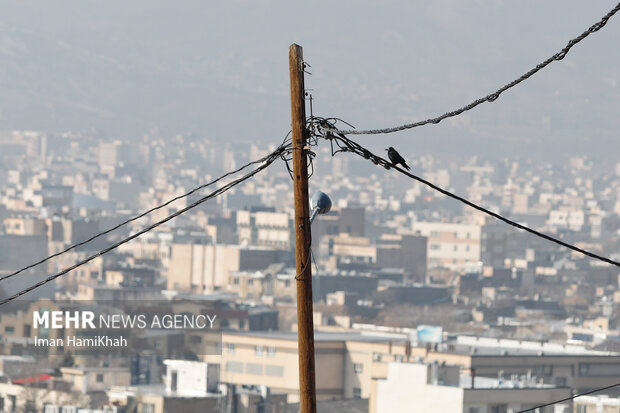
(493,96)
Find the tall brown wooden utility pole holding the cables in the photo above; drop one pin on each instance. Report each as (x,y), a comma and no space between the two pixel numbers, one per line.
(305,325)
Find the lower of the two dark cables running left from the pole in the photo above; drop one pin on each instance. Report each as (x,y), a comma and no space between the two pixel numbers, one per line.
(268,160)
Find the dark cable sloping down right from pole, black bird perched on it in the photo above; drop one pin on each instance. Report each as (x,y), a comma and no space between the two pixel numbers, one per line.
(346,145)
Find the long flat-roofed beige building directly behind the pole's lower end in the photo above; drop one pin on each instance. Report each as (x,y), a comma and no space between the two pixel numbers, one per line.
(345,362)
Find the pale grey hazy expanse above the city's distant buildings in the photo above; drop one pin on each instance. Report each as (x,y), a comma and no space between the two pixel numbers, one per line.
(220,69)
